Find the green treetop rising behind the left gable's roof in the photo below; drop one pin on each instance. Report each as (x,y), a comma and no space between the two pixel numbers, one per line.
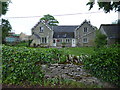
(50,20)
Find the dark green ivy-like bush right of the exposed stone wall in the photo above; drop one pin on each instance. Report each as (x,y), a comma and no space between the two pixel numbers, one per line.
(105,64)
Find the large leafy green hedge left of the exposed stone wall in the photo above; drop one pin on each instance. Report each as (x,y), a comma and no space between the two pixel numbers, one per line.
(22,64)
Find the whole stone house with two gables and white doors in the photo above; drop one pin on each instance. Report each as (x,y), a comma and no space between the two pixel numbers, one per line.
(63,35)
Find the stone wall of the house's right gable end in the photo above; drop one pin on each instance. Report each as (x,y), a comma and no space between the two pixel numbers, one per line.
(80,35)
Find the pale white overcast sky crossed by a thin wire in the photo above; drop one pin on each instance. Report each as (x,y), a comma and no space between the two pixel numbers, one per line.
(24,14)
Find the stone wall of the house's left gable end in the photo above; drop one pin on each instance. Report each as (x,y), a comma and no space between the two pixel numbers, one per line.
(46,34)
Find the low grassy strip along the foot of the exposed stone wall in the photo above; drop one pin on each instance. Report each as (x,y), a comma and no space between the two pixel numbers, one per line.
(66,83)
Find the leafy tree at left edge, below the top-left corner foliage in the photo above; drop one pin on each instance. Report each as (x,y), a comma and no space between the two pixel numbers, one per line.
(6,28)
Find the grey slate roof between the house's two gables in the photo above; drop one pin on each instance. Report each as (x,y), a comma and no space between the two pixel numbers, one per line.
(64,31)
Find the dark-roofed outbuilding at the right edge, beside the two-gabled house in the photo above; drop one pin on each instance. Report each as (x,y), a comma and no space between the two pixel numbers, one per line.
(112,31)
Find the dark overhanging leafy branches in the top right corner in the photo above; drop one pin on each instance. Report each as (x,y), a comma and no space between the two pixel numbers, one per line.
(106,6)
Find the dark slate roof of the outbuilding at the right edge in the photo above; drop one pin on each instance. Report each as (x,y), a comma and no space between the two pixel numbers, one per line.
(112,30)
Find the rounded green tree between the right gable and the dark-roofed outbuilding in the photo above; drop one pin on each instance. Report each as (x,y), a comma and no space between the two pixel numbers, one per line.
(100,39)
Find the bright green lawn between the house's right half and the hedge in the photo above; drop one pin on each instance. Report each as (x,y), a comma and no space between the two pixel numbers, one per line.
(80,50)
